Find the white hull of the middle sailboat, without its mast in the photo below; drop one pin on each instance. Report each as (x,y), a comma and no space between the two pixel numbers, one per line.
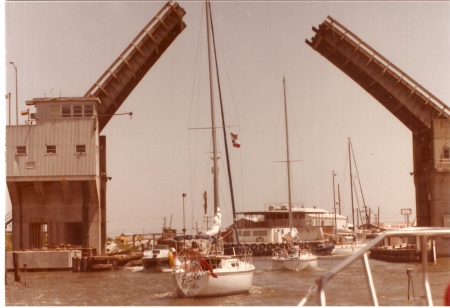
(299,259)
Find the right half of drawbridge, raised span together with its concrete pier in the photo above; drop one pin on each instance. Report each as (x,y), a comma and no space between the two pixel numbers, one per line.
(420,111)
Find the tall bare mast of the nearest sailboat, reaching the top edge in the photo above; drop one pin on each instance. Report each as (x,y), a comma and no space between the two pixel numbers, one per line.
(213,120)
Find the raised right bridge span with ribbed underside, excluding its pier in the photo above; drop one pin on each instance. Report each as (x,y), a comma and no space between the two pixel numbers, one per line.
(414,106)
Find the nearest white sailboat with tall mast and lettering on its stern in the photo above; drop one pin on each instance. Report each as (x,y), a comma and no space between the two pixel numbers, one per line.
(205,270)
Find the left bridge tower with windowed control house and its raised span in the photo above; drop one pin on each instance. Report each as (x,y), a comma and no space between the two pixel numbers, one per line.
(56,169)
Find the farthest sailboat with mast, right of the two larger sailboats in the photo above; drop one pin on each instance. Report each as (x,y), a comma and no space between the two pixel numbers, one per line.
(349,242)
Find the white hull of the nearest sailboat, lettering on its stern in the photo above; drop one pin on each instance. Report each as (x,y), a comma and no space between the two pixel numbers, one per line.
(230,280)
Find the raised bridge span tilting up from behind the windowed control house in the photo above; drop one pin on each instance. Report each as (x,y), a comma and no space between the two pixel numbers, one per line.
(119,80)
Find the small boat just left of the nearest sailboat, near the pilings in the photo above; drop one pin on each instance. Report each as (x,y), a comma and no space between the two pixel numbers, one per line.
(158,259)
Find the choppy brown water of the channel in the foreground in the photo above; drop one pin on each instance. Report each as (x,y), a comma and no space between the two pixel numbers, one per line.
(270,288)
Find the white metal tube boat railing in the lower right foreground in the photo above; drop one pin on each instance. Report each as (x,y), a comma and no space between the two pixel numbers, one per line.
(422,232)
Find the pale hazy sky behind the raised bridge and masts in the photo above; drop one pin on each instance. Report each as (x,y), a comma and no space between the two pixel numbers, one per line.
(163,151)
